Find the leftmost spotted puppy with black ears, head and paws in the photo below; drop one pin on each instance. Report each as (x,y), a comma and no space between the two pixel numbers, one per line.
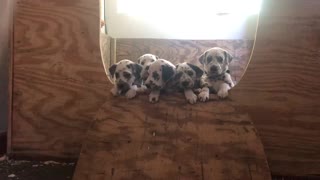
(127,76)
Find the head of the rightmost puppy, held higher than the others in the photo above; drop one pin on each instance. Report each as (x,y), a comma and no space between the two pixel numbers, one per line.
(215,61)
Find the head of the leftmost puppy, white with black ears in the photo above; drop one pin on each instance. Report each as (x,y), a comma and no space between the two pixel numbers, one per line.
(125,74)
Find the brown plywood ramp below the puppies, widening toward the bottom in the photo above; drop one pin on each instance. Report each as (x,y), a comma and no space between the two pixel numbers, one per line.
(171,140)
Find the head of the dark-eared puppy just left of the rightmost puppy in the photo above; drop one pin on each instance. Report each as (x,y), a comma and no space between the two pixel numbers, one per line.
(186,75)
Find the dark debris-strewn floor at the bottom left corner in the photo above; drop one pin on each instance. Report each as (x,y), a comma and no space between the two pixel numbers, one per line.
(35,170)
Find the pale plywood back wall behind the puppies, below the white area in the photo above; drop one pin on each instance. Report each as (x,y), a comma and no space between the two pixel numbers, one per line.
(186,51)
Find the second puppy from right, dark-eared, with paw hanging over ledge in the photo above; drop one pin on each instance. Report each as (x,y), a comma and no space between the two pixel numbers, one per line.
(188,78)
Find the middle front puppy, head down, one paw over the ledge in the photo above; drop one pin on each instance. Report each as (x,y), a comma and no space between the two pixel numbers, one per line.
(160,76)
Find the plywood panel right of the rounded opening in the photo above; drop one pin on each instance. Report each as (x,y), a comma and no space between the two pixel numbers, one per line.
(281,88)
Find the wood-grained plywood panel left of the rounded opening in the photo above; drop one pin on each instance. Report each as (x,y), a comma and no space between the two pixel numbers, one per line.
(58,81)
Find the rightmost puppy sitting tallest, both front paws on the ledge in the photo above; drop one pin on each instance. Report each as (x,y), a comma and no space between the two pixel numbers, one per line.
(217,78)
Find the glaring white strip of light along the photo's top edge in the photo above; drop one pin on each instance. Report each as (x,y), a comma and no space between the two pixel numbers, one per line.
(187,7)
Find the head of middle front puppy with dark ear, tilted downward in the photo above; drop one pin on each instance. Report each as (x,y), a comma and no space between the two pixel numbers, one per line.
(159,73)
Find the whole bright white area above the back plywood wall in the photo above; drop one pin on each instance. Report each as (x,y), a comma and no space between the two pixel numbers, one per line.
(184,19)
